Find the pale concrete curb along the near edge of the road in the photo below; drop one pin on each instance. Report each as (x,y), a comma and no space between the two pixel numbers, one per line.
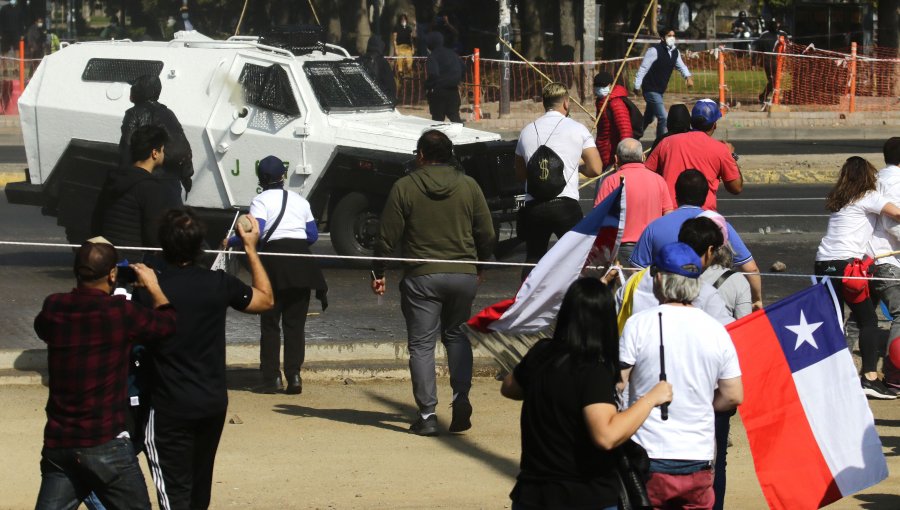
(361,360)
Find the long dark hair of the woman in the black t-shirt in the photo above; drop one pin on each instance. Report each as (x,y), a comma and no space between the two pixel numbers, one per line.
(586,324)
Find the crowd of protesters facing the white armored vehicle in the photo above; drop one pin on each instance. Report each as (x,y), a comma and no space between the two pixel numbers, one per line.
(590,389)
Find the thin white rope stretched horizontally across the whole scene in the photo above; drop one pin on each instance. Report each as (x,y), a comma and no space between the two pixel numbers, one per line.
(425,261)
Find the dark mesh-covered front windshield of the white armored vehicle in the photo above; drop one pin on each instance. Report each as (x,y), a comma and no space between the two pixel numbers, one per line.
(345,85)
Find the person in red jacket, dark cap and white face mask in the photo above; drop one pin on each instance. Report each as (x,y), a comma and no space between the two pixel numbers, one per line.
(615,124)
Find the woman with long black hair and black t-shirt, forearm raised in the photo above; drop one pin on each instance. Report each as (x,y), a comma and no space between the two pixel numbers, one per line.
(569,417)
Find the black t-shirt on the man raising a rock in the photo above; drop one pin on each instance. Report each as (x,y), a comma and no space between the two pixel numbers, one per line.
(189,367)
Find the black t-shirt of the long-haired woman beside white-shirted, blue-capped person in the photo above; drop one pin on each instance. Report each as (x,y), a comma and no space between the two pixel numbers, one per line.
(561,467)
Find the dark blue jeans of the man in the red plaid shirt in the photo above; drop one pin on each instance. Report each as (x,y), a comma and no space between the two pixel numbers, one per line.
(109,470)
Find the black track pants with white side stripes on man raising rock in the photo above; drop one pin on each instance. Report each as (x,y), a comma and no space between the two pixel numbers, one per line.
(181,453)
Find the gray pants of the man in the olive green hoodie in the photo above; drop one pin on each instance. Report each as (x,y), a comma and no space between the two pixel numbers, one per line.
(432,304)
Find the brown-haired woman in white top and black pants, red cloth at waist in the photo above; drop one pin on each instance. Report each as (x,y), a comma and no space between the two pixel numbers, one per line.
(855,206)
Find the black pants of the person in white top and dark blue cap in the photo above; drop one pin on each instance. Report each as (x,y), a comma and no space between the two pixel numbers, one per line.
(290,310)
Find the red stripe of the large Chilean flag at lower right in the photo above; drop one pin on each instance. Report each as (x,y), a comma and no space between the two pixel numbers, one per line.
(790,467)
